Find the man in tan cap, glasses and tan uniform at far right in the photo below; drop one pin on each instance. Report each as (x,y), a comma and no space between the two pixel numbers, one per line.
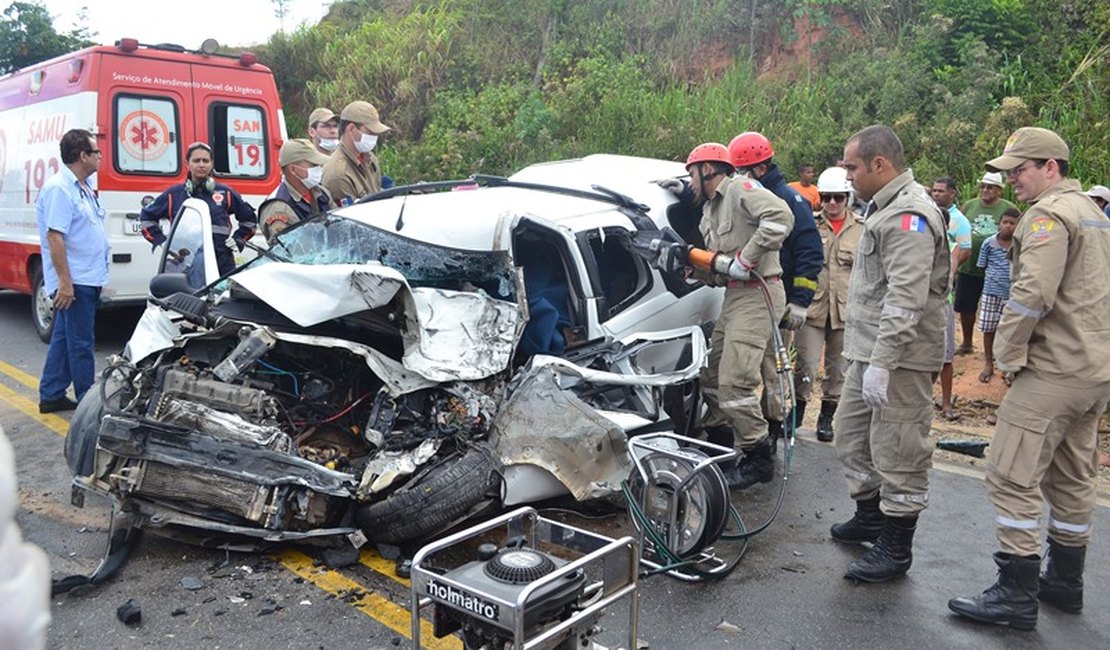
(1053,340)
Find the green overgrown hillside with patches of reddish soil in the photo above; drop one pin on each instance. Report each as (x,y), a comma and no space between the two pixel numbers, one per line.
(492,86)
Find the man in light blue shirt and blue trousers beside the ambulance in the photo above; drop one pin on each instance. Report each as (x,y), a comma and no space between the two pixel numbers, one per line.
(75,268)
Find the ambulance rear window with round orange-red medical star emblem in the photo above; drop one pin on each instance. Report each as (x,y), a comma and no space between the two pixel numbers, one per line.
(147,136)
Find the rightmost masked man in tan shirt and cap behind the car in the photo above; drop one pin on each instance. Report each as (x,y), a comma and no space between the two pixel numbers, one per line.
(354,171)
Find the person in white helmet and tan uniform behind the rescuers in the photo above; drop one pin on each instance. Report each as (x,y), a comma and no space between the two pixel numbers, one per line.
(840,229)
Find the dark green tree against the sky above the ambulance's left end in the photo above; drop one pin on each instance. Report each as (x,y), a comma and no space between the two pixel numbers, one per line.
(28,37)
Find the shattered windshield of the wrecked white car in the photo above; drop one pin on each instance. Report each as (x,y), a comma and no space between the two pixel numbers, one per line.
(335,240)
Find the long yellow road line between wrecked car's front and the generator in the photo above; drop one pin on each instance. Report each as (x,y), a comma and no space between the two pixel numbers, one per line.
(381,610)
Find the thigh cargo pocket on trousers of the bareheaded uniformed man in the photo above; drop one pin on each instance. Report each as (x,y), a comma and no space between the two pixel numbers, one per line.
(901,439)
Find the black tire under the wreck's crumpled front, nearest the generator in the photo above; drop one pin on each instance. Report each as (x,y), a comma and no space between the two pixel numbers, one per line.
(435,503)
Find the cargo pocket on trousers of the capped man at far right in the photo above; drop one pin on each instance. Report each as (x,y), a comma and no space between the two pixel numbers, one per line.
(1018,443)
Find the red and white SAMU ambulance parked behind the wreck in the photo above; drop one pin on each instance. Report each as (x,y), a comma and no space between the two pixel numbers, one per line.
(146,105)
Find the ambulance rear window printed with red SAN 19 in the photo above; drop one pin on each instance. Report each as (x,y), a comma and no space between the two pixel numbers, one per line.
(239,140)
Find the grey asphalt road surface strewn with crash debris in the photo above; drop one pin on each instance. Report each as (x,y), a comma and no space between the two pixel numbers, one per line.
(788,593)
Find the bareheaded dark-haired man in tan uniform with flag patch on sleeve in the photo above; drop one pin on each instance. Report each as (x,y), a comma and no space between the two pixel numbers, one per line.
(895,344)
